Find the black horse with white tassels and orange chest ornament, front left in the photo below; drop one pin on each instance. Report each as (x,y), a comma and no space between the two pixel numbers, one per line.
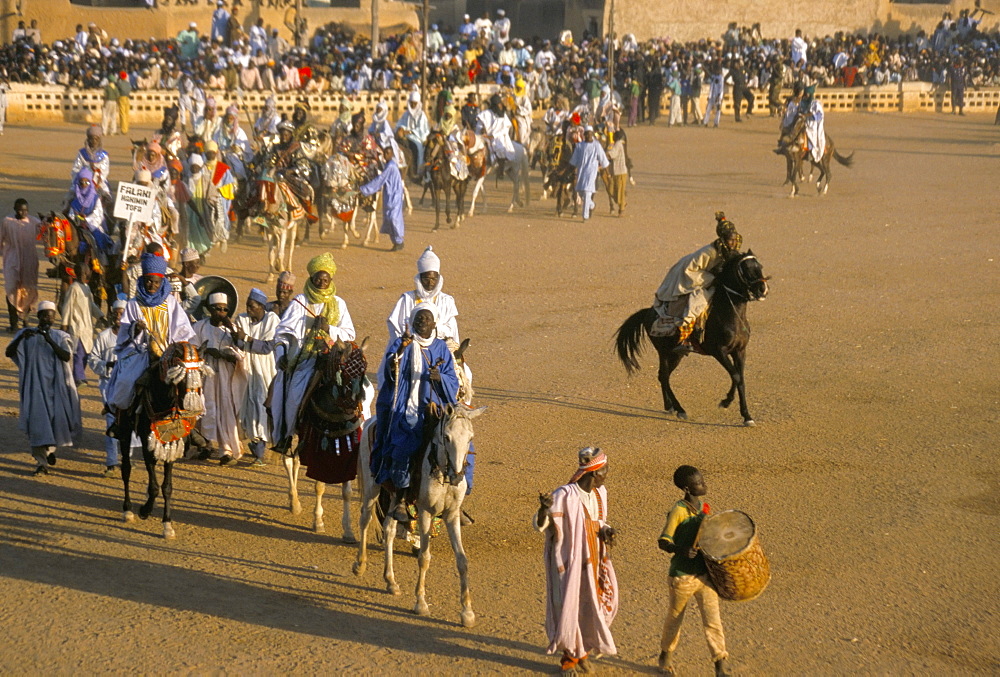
(167,404)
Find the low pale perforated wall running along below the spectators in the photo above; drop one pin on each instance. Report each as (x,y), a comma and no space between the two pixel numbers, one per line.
(38,106)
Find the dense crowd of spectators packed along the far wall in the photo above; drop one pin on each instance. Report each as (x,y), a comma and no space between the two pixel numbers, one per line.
(333,59)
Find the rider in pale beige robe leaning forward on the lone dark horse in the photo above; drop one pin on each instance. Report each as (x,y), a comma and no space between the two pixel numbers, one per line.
(684,295)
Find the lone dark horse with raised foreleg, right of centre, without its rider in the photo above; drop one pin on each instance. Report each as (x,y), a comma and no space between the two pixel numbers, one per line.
(727,333)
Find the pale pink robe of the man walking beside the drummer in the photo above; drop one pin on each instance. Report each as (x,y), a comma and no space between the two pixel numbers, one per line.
(582,590)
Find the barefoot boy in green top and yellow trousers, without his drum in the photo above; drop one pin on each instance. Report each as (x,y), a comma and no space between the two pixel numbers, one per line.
(688,575)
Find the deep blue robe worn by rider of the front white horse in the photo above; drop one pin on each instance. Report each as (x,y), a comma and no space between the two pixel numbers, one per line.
(396,442)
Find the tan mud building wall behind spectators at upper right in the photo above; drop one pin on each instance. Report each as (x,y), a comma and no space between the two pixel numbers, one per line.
(696,19)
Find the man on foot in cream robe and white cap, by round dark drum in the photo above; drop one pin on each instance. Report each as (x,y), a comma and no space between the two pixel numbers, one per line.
(225,385)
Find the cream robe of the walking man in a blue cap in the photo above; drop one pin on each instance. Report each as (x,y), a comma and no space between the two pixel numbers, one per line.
(258,364)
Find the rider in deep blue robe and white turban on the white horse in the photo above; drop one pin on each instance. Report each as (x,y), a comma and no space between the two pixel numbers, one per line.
(418,377)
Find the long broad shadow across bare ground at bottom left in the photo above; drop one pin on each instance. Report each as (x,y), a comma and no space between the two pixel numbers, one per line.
(165,586)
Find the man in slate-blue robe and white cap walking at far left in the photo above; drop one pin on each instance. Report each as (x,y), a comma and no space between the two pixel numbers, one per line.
(49,403)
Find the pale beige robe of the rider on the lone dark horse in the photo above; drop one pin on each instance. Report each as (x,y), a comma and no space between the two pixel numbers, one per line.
(685,293)
